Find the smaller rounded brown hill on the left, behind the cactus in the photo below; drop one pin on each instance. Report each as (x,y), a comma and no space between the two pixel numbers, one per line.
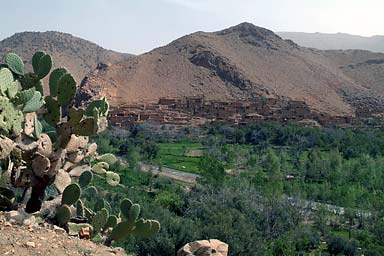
(77,55)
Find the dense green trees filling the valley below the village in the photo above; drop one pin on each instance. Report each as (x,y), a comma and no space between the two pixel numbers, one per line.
(251,210)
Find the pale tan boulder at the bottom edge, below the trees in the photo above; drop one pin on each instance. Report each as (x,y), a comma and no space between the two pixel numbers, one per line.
(212,247)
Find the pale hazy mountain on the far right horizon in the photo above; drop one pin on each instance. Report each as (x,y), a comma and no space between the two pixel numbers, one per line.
(339,41)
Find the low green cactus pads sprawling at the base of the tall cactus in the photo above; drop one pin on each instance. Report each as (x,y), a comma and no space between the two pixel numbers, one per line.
(103,225)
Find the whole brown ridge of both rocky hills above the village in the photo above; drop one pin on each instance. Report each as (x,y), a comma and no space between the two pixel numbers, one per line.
(240,63)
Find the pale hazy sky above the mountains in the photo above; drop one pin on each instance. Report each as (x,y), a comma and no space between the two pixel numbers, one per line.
(136,26)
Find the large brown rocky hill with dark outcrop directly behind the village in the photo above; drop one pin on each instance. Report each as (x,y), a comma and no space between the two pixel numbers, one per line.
(243,62)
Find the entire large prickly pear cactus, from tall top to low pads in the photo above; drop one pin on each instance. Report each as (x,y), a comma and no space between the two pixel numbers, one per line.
(44,140)
